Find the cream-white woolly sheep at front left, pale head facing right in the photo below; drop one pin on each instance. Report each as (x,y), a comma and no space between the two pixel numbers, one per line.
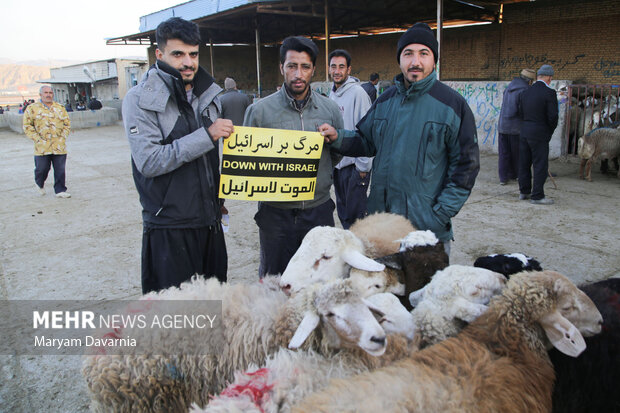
(257,321)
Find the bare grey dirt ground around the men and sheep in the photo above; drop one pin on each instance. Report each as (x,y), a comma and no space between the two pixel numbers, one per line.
(88,247)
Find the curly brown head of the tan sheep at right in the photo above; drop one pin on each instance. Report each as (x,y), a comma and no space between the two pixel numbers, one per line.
(564,312)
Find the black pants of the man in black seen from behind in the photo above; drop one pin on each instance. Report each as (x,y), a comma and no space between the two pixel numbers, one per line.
(533,154)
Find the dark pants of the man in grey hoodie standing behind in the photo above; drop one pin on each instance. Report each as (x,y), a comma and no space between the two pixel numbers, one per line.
(351,194)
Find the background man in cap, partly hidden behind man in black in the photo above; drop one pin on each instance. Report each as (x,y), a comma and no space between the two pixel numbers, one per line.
(510,126)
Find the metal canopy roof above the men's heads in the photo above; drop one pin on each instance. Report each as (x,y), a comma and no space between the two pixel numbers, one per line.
(235,21)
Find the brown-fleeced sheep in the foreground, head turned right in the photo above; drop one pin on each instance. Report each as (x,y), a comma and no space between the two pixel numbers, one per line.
(498,363)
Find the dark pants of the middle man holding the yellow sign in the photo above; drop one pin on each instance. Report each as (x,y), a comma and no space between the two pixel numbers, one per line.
(282,230)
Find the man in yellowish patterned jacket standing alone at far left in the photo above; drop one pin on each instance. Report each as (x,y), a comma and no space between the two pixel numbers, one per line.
(47,124)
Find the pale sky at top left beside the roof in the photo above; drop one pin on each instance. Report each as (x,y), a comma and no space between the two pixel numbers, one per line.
(71,29)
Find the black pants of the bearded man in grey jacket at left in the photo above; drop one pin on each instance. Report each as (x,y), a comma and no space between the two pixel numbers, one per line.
(171,256)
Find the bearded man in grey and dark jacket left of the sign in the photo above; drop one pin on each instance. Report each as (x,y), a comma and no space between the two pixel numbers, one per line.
(171,121)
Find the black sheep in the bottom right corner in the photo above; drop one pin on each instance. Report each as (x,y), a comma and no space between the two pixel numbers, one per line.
(590,383)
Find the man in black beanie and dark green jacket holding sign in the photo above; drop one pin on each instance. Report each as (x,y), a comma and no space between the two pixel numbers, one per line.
(423,136)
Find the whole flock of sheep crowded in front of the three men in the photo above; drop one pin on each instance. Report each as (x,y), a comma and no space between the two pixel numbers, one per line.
(374,319)
